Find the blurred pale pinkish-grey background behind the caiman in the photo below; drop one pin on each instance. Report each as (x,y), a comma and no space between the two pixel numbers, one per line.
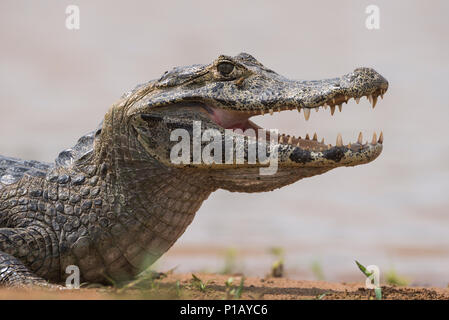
(56,84)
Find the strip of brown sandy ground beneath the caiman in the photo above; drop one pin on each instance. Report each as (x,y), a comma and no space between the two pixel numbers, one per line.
(182,286)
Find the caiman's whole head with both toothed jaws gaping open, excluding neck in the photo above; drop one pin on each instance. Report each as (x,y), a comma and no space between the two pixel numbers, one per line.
(225,95)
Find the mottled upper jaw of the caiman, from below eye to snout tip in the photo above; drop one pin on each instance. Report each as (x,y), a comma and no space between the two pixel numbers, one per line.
(266,95)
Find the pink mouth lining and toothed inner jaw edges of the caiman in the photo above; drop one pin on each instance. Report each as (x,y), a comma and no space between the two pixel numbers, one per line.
(231,119)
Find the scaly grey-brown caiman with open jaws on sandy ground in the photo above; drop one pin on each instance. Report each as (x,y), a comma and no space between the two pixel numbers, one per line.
(114,203)
